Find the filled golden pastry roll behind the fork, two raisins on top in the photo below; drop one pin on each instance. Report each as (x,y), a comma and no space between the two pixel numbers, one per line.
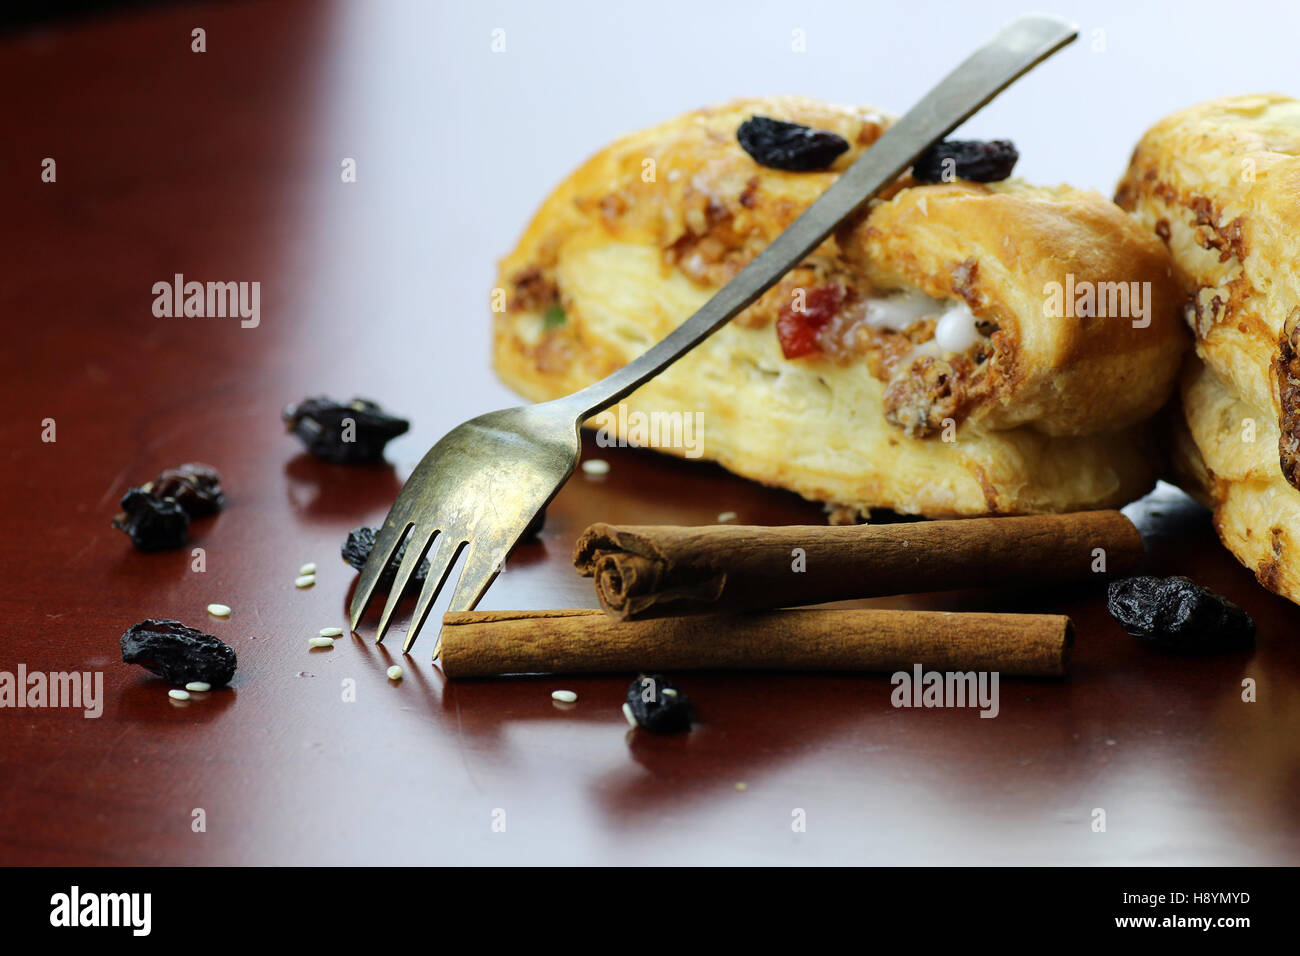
(959,349)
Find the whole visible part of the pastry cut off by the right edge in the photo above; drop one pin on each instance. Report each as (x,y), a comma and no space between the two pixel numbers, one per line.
(1220,184)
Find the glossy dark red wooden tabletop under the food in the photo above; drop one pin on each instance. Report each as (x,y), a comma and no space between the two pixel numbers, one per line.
(226,167)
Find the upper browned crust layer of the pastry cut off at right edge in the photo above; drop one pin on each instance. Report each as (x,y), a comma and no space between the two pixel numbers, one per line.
(1220,183)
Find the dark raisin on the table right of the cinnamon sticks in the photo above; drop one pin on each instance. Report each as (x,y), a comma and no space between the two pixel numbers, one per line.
(1178,615)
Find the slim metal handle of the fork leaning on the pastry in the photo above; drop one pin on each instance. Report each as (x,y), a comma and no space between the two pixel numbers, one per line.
(1021,46)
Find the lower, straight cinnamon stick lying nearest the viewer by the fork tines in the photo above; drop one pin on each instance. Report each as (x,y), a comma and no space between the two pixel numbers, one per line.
(578,642)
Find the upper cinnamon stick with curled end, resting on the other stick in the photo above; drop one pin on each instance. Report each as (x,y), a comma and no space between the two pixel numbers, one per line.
(651,572)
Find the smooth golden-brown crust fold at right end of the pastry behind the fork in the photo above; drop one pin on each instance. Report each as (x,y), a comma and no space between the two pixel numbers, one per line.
(999,248)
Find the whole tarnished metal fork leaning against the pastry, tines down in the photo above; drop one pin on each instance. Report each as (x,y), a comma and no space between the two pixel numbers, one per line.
(484,483)
